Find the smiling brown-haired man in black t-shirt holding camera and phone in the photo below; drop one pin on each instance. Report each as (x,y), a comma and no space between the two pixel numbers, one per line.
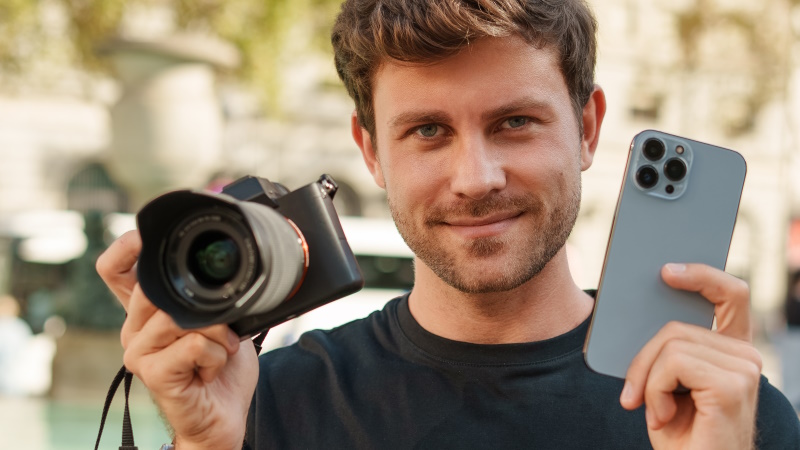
(477,117)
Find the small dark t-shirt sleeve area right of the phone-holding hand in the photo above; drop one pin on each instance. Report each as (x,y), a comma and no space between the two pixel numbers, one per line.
(777,422)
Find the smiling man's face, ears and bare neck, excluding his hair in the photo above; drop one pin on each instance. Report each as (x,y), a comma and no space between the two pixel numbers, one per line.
(481,166)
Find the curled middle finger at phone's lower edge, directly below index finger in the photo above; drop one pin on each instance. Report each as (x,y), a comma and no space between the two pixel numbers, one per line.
(639,369)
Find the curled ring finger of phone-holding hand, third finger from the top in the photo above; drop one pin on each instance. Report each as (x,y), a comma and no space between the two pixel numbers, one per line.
(692,365)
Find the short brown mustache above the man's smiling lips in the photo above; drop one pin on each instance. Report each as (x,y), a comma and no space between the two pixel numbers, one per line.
(484,207)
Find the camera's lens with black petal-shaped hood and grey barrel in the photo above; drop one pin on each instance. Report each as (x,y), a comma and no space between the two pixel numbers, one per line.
(209,258)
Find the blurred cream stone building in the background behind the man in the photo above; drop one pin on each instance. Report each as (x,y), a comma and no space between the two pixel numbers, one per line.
(73,143)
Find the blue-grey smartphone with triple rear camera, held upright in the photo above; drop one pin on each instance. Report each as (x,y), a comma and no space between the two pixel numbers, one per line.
(678,203)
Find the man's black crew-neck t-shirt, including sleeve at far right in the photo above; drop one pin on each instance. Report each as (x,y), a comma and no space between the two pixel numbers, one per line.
(383,382)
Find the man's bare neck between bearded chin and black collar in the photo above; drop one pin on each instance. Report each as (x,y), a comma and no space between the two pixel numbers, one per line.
(548,305)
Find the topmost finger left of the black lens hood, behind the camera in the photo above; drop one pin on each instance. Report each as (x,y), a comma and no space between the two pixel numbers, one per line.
(116,266)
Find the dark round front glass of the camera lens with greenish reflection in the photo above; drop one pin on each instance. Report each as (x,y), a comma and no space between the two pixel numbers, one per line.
(213,259)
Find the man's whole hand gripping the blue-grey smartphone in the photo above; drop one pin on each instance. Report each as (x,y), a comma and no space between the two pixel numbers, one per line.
(721,369)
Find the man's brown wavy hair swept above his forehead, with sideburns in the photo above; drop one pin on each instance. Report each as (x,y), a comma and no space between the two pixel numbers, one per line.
(368,32)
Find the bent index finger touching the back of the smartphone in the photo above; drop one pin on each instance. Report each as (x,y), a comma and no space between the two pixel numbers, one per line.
(730,295)
